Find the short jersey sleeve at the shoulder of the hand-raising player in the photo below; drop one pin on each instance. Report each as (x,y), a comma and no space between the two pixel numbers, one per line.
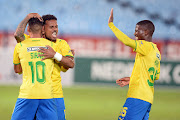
(143,47)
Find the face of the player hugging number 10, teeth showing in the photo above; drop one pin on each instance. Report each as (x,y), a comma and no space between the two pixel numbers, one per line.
(51,29)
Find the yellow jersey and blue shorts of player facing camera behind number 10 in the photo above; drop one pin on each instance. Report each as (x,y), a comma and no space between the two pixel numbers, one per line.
(64,49)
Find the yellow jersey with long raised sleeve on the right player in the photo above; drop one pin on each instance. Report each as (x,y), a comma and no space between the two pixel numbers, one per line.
(146,67)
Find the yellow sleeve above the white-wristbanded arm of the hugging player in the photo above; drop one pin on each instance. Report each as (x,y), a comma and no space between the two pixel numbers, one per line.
(64,48)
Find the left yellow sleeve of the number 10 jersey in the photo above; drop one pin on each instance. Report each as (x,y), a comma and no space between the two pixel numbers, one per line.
(16,59)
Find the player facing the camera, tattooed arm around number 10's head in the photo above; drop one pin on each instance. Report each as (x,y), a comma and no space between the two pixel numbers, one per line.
(50,33)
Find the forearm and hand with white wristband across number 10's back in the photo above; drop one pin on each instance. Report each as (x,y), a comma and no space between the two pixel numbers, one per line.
(50,53)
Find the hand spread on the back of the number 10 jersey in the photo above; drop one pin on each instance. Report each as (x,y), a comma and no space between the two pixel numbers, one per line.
(48,53)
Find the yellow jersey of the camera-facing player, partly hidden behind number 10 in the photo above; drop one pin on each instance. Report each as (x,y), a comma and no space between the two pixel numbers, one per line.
(64,49)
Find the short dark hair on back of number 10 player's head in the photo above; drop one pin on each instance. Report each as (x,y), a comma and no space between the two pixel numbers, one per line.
(35,24)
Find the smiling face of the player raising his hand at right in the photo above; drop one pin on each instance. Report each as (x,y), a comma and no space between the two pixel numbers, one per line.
(139,33)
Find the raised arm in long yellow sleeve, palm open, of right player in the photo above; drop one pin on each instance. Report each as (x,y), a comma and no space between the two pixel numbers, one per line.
(120,35)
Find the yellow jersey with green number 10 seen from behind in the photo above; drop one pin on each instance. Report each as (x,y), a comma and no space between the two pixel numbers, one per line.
(37,83)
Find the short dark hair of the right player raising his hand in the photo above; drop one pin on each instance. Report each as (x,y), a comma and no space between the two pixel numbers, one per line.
(147,24)
